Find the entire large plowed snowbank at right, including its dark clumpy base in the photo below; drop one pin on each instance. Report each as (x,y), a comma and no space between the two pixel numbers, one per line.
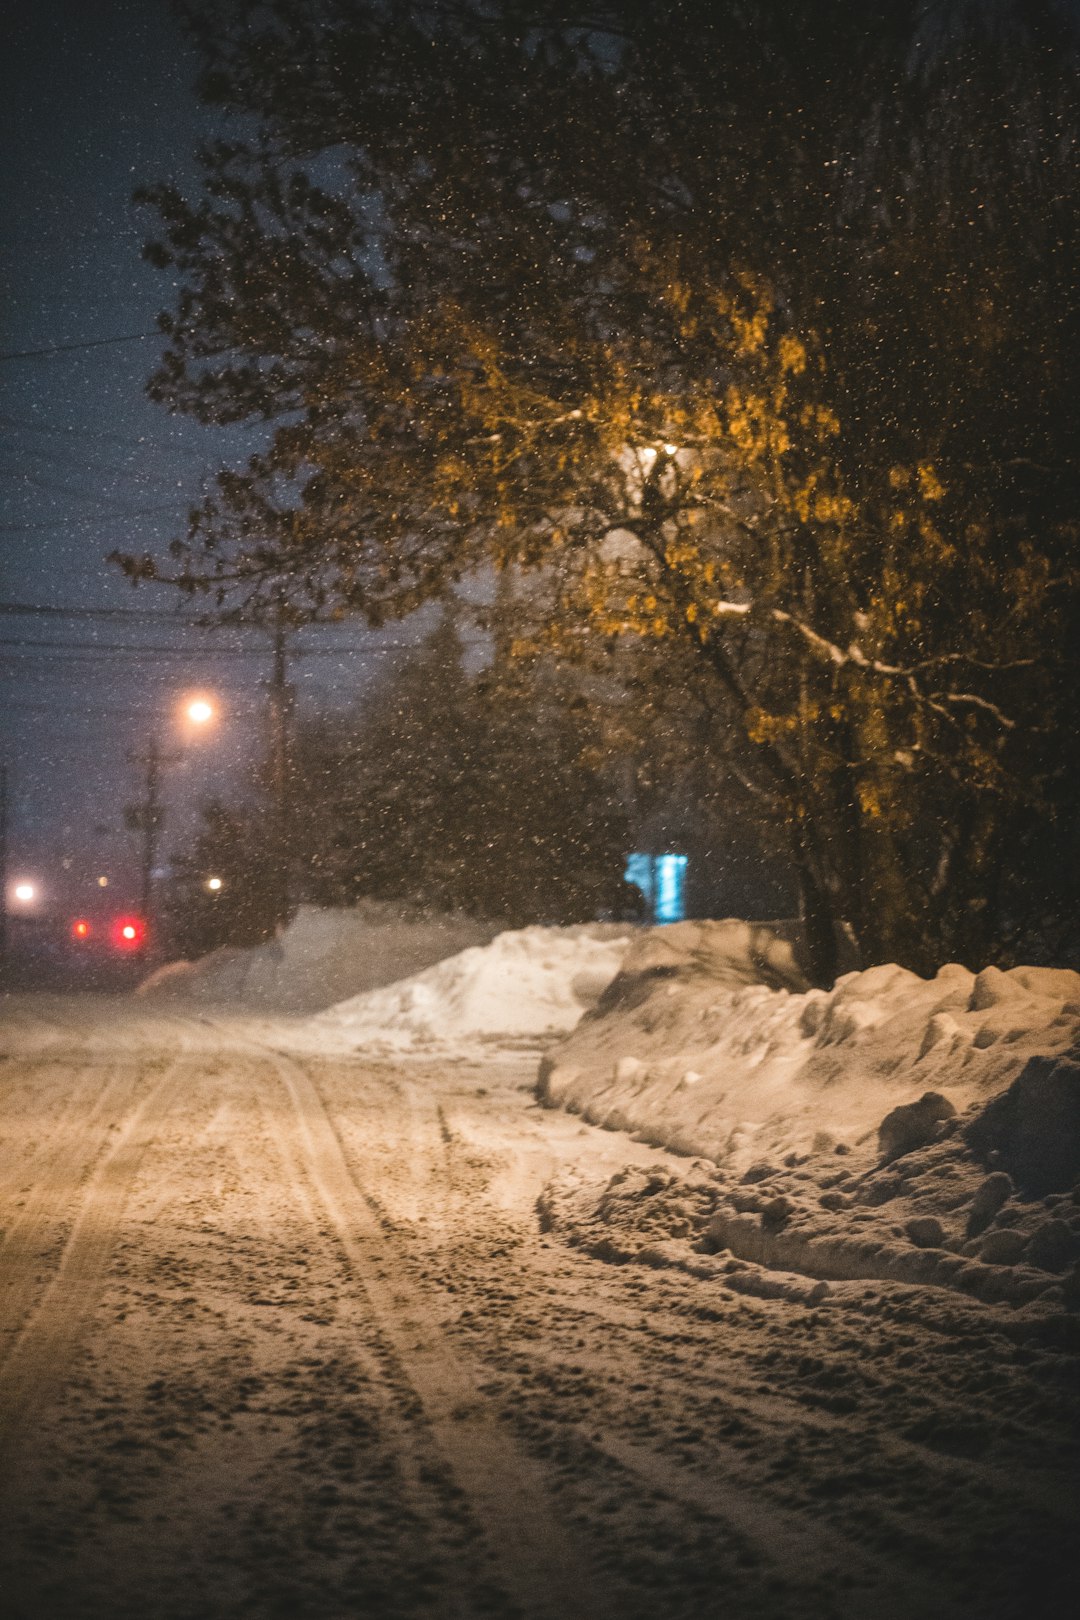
(893,1128)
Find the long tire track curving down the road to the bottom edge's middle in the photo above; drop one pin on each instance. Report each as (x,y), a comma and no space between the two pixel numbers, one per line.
(538,1562)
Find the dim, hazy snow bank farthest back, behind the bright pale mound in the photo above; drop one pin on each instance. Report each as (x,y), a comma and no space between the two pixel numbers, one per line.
(321,958)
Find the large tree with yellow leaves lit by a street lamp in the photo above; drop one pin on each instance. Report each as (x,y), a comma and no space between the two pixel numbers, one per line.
(663,357)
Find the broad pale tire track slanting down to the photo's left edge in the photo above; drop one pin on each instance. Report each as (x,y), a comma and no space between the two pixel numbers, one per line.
(43,1349)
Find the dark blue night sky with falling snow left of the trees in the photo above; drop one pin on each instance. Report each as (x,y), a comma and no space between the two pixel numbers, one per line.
(95,100)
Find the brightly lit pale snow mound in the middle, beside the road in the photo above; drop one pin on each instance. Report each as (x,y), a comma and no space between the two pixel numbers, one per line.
(522,987)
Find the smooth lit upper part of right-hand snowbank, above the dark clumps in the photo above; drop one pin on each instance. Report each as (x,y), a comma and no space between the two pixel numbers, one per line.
(710,1042)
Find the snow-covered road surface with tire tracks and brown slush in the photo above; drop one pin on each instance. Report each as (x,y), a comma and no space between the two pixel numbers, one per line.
(283,1337)
